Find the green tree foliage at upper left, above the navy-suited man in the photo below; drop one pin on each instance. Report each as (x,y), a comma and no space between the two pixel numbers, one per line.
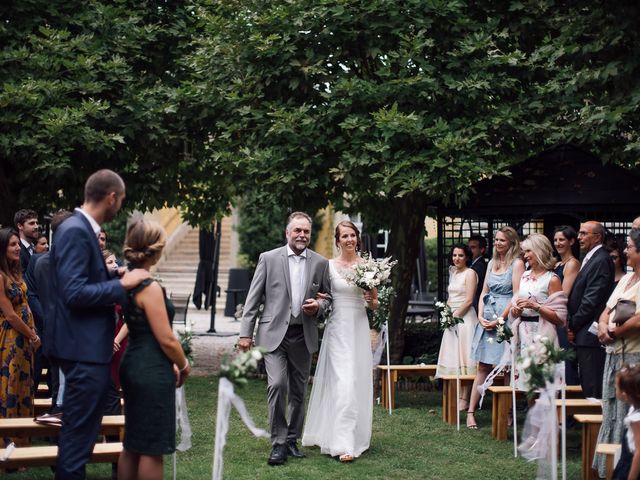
(89,85)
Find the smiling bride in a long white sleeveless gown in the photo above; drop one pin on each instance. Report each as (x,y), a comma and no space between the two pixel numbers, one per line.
(341,404)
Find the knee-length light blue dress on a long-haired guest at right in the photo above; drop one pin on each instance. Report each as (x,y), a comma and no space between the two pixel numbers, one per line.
(485,348)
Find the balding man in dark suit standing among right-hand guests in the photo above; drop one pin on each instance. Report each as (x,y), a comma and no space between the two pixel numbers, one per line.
(587,300)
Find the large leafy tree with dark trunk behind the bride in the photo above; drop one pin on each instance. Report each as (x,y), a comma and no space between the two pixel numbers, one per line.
(389,107)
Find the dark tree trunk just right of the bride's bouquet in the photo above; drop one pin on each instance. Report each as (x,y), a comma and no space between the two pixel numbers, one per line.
(407,226)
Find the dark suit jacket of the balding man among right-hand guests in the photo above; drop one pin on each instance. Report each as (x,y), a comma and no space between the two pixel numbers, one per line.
(589,295)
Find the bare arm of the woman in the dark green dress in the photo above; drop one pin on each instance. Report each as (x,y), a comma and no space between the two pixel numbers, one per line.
(151,300)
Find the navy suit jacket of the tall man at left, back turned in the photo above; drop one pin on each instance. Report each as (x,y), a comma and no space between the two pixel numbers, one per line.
(82,325)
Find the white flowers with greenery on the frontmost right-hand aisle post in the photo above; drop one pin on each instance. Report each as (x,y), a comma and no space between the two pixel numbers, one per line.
(539,360)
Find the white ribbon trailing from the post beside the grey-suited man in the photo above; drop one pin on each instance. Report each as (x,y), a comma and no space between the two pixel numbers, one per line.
(226,398)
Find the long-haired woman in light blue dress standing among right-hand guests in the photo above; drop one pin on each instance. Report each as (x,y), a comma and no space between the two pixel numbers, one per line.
(503,278)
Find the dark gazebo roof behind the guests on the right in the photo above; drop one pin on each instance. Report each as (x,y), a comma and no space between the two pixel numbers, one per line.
(560,180)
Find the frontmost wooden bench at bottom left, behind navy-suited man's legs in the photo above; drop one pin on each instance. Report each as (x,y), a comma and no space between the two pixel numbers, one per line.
(47,455)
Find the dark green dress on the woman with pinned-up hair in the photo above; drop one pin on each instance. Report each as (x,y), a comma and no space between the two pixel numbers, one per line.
(148,384)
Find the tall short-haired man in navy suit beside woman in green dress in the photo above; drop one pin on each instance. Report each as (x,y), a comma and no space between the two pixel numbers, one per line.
(81,331)
